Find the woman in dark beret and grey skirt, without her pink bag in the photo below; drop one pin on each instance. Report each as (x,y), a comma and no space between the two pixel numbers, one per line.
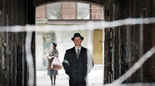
(50,56)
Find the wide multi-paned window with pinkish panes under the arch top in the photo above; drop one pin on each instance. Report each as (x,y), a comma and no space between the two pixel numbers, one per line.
(70,10)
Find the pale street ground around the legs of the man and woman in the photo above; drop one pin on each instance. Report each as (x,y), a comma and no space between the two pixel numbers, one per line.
(95,77)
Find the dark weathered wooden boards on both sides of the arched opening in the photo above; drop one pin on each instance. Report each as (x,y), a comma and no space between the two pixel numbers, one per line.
(124,45)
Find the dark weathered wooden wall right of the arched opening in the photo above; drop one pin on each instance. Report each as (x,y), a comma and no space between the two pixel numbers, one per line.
(124,45)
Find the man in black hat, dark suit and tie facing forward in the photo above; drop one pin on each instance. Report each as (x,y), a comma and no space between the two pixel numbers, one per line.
(77,62)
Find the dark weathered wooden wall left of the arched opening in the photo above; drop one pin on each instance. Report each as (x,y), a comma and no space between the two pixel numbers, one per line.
(13,65)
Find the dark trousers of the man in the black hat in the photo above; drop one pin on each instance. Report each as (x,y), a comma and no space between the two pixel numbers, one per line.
(73,82)
